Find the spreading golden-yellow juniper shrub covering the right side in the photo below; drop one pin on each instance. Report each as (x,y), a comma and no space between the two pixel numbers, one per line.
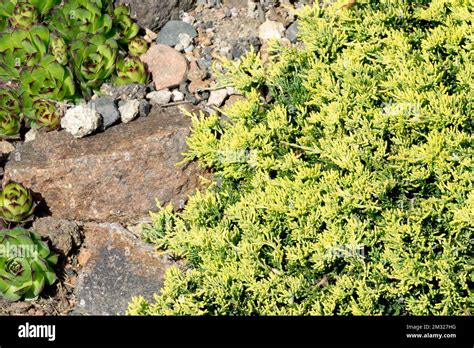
(351,191)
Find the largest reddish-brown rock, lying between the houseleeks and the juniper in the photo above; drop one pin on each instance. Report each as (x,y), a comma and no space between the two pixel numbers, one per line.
(113,176)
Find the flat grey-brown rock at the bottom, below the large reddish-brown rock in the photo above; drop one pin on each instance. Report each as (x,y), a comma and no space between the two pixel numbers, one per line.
(117,267)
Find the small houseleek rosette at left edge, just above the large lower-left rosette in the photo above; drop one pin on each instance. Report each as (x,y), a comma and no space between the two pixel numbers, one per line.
(16,203)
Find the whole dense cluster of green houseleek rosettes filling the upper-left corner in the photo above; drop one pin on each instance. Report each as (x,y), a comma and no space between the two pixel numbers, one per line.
(53,52)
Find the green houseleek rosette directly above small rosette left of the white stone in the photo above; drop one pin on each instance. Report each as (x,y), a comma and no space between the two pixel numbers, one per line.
(48,80)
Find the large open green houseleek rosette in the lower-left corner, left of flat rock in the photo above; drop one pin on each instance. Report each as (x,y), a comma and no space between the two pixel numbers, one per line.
(26,265)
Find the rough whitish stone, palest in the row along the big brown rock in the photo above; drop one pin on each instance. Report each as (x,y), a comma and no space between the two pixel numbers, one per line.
(81,121)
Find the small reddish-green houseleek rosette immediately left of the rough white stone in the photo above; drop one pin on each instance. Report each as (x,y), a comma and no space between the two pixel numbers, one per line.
(44,114)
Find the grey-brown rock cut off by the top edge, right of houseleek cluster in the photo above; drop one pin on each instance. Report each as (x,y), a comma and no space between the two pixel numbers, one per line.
(154,14)
